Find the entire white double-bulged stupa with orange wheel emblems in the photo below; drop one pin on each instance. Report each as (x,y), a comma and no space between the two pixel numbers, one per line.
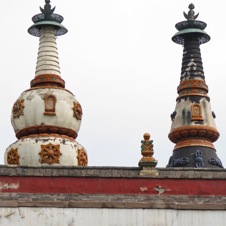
(46,118)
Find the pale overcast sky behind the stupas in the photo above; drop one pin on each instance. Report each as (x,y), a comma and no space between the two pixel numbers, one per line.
(119,61)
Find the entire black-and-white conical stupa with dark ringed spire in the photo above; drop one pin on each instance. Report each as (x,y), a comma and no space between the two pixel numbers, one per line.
(193,127)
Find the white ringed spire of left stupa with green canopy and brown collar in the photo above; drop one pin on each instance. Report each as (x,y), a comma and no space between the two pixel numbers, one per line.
(47,25)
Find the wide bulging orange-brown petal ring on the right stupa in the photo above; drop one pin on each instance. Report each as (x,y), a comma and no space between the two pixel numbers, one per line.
(194,131)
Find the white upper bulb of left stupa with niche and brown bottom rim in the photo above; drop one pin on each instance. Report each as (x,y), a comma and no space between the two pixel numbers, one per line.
(46,110)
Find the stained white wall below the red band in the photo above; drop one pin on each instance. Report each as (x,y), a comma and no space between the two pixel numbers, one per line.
(109,217)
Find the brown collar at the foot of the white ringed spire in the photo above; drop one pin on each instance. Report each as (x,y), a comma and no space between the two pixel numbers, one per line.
(48,80)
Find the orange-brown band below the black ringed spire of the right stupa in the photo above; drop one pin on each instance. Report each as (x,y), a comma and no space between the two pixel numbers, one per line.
(192,87)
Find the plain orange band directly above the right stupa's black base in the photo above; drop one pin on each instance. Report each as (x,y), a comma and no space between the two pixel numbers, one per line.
(194,142)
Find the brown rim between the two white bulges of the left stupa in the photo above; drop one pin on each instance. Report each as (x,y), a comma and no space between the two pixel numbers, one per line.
(46,129)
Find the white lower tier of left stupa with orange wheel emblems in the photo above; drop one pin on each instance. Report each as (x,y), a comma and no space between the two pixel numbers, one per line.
(46,150)
